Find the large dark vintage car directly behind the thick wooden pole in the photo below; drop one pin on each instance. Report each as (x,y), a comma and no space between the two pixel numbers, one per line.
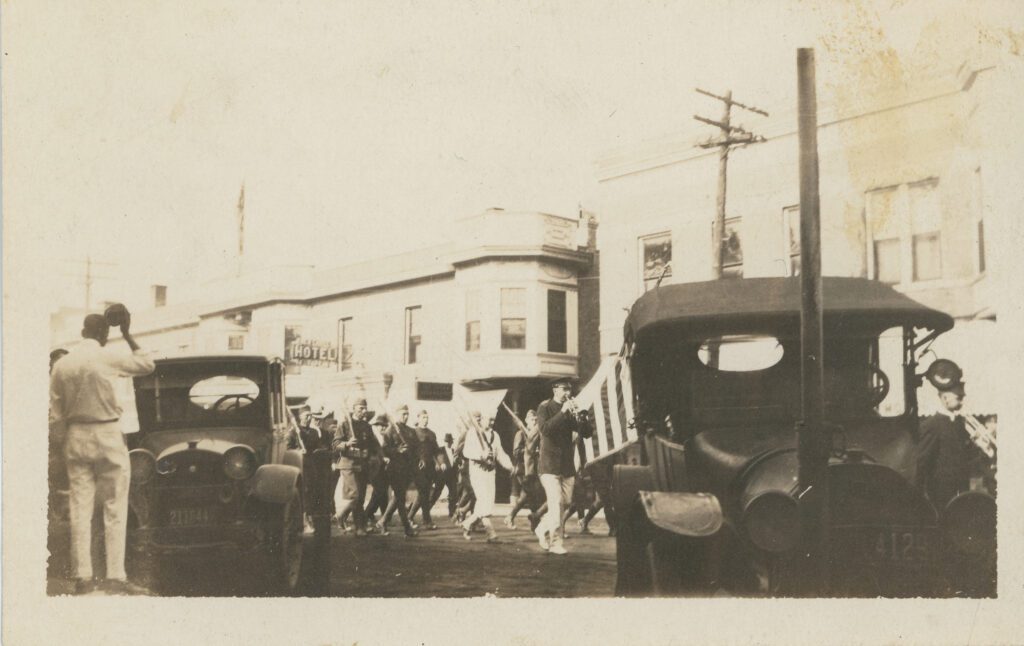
(708,499)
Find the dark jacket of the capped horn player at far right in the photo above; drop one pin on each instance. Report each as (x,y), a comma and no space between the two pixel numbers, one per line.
(945,455)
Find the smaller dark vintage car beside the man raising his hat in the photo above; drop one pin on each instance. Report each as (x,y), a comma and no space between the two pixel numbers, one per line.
(216,466)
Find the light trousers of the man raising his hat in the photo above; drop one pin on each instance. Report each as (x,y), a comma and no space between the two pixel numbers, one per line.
(99,471)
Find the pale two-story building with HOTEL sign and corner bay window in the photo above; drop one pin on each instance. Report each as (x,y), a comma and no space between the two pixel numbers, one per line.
(491,317)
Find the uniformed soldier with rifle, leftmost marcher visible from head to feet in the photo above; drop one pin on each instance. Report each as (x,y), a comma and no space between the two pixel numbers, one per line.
(357,452)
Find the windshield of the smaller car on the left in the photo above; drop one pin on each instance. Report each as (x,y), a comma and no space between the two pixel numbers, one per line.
(202,396)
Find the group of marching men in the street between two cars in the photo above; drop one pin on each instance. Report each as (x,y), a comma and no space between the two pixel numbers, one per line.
(383,466)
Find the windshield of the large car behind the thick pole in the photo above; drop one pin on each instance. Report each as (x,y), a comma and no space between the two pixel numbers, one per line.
(738,380)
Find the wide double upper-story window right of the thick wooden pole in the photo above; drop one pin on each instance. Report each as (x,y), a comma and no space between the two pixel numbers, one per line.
(905,228)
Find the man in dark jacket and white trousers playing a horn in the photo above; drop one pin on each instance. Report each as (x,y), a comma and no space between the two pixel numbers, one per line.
(559,422)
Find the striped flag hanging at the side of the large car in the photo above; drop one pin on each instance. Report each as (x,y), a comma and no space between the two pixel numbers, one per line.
(609,400)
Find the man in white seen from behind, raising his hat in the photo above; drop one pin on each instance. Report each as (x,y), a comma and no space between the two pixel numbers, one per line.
(86,412)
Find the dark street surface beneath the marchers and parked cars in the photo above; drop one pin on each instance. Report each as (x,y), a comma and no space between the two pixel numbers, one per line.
(438,564)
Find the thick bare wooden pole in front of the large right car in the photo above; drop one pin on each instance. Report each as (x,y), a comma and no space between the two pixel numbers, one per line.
(815,444)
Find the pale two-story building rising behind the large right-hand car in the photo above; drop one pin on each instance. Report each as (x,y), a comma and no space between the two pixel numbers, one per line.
(909,175)
